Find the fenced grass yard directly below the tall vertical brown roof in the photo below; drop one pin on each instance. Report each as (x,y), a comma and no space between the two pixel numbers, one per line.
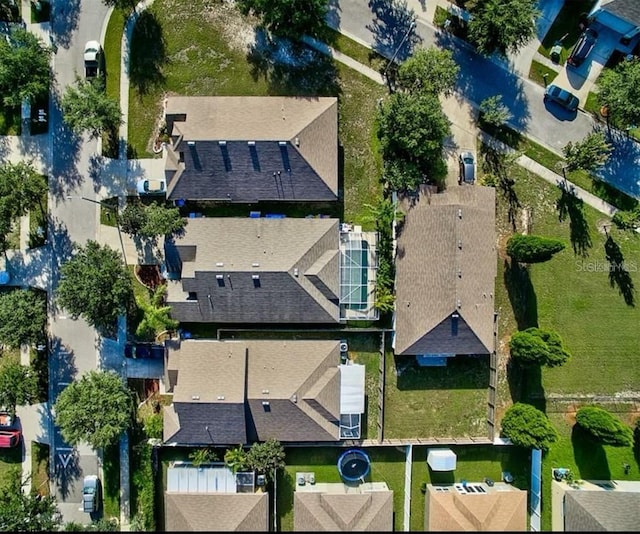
(430,402)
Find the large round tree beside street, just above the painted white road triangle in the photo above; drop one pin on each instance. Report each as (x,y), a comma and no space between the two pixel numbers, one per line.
(95,409)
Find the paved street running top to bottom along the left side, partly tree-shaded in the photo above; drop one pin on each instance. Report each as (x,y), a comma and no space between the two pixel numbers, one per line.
(74,343)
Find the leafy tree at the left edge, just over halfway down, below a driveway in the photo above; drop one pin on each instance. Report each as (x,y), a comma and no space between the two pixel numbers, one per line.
(23,317)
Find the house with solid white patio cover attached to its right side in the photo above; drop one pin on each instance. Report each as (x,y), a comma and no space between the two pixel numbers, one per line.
(238,392)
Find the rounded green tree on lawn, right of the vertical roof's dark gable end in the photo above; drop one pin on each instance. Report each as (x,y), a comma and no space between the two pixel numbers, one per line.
(535,346)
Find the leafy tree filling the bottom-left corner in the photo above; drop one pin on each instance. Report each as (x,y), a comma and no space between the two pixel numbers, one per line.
(26,512)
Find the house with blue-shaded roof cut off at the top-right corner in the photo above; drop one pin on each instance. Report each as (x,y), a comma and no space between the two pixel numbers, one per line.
(620,16)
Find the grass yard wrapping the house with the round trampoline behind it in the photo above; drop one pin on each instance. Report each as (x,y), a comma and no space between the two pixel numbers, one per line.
(387,465)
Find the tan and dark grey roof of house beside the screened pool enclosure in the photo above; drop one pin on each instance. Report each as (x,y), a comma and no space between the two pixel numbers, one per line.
(291,287)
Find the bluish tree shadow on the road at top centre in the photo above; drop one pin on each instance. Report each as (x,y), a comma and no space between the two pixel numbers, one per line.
(393,29)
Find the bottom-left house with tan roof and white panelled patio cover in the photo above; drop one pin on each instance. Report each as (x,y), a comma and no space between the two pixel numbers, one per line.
(211,498)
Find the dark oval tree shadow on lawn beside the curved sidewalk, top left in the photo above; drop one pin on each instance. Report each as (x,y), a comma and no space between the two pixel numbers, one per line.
(148,53)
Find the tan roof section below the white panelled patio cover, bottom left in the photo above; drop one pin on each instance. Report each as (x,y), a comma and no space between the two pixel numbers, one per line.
(234,512)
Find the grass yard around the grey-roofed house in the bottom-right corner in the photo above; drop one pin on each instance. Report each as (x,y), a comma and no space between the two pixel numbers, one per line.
(586,460)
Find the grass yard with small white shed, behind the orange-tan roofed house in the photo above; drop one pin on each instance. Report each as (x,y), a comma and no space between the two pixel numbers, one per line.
(474,464)
